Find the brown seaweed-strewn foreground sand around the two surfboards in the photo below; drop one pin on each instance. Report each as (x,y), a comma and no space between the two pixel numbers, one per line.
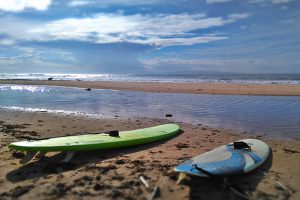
(115,174)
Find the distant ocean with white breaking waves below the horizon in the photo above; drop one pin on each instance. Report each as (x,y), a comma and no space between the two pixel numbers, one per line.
(178,77)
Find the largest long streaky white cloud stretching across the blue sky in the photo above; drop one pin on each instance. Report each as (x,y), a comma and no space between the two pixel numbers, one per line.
(156,29)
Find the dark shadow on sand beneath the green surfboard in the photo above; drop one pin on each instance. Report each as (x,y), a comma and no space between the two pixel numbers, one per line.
(52,165)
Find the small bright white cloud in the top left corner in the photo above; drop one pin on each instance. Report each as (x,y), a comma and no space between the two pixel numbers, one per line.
(20,5)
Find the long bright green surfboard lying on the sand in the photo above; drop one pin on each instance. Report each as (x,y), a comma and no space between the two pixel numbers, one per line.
(98,141)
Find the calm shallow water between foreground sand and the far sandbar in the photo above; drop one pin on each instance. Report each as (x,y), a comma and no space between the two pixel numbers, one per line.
(275,116)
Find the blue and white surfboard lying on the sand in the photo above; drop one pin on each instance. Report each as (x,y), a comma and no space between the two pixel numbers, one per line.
(225,160)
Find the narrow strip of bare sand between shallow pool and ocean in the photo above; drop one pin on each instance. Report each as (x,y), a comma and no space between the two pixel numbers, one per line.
(162,87)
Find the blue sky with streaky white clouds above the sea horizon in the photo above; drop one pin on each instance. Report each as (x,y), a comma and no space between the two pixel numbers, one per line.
(153,36)
